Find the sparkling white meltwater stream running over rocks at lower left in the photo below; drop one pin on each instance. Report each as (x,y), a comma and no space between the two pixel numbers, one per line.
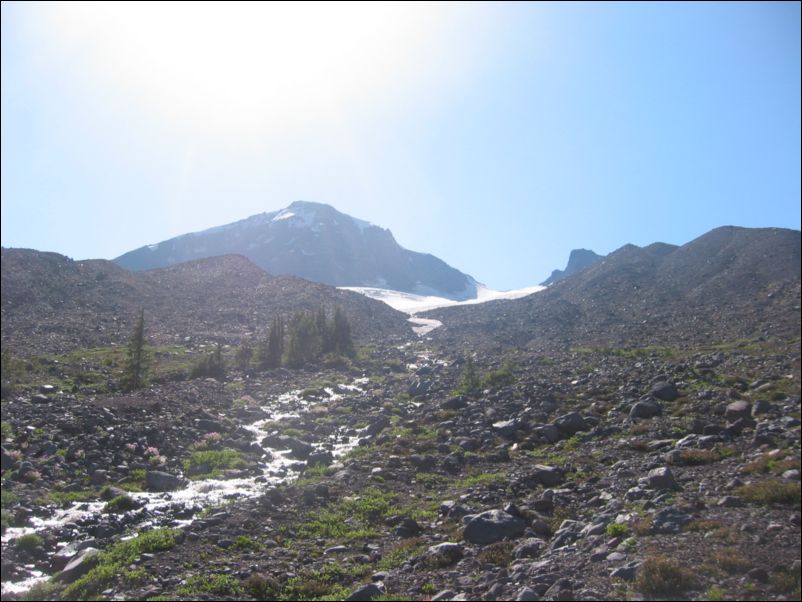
(278,468)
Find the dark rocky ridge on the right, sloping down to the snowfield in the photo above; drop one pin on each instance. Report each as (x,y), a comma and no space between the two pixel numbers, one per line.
(731,283)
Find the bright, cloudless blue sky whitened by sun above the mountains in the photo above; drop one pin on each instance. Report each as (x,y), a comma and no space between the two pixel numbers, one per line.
(495,136)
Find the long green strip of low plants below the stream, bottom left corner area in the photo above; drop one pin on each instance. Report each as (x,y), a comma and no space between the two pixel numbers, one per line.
(113,560)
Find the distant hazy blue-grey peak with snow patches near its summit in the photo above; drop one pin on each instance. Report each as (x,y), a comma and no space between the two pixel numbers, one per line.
(316,242)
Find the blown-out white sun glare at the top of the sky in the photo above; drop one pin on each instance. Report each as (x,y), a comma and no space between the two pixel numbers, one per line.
(244,66)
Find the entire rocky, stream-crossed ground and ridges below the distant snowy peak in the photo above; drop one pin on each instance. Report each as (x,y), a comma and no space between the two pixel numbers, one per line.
(631,432)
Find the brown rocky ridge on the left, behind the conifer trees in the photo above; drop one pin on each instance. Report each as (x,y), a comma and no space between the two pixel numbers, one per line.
(51,303)
